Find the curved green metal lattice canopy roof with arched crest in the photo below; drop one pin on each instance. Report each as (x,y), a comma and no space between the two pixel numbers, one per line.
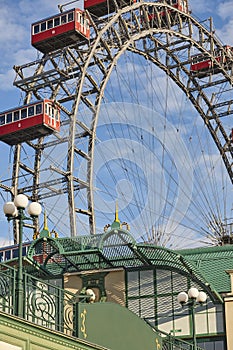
(117,248)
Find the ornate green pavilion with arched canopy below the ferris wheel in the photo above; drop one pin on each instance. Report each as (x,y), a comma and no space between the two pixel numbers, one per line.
(135,286)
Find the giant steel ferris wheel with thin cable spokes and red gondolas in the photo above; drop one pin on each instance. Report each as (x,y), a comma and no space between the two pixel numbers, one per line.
(144,97)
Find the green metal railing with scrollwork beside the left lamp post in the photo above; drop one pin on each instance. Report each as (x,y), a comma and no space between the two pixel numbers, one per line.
(43,303)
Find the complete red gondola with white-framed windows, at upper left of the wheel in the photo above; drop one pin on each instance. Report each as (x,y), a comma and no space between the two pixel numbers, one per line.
(61,30)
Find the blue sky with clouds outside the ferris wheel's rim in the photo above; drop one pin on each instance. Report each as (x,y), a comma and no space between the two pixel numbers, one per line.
(15,48)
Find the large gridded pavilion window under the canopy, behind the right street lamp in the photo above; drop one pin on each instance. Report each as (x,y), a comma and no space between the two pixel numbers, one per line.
(152,295)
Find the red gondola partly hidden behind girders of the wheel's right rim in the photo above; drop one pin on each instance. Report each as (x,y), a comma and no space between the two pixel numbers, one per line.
(202,65)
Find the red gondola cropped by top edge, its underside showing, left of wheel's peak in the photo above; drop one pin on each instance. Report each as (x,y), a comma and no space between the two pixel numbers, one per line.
(104,7)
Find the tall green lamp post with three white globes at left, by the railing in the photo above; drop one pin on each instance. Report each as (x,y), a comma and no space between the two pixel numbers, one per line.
(15,211)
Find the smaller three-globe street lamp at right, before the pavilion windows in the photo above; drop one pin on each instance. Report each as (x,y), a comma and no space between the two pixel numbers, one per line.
(192,298)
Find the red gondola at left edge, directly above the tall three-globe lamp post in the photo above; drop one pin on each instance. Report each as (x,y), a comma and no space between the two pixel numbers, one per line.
(29,122)
